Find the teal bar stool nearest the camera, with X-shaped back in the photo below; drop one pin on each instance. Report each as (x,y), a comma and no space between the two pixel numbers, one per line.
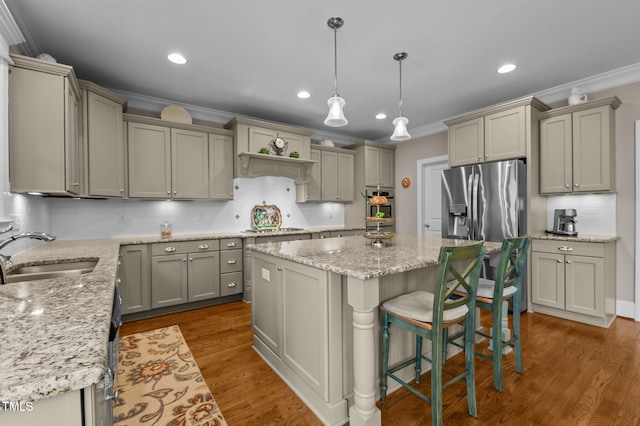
(427,315)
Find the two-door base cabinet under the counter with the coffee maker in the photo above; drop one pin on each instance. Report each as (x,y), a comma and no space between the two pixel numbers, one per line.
(574,280)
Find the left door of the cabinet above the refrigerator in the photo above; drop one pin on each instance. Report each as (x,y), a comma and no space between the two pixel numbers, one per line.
(466,142)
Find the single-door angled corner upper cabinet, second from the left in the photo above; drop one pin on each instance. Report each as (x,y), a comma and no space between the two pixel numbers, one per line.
(103,141)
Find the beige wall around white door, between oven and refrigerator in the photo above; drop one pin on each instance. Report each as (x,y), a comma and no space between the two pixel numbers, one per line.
(407,155)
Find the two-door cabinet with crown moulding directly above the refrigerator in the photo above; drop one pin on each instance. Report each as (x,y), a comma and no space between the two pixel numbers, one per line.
(496,133)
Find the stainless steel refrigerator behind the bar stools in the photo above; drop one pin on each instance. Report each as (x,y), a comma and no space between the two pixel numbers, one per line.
(486,202)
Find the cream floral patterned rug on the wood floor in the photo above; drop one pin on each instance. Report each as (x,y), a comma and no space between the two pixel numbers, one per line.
(159,383)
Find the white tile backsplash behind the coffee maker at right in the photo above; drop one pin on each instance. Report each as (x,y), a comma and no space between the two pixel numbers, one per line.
(596,213)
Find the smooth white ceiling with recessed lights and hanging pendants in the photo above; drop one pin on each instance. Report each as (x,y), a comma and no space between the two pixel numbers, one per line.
(251,57)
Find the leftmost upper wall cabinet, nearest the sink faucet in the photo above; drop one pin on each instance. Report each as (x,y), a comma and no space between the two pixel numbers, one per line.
(45,150)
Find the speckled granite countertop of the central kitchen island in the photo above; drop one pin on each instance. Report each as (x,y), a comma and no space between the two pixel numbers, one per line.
(355,257)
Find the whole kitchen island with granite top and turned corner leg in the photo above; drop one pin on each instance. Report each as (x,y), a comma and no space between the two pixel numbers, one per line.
(314,315)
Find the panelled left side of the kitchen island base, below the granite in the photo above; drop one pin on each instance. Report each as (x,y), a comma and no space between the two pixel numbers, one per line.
(297,324)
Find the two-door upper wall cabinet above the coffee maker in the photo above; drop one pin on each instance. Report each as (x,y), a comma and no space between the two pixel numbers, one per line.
(577,148)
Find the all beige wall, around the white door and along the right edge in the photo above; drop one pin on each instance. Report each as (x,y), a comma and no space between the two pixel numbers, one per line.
(408,153)
